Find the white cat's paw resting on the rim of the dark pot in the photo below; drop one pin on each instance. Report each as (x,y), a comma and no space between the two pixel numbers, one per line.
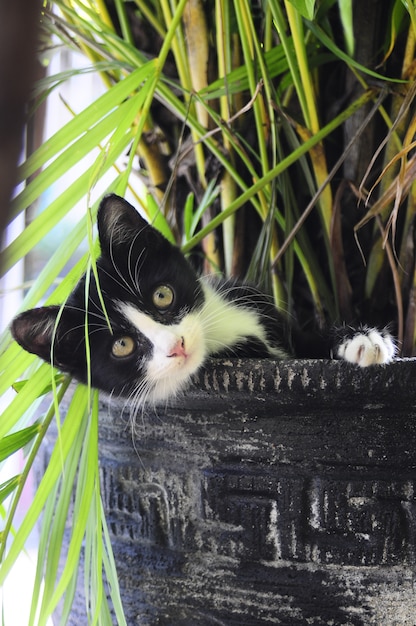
(366,346)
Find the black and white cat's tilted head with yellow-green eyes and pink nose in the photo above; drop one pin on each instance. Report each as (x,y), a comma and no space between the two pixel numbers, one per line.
(139,328)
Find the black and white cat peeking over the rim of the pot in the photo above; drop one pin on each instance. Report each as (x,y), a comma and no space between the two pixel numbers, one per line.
(160,321)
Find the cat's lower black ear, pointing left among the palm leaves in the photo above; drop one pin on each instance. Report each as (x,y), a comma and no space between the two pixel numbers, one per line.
(34,330)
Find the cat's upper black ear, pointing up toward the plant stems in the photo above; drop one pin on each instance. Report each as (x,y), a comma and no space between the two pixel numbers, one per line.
(119,223)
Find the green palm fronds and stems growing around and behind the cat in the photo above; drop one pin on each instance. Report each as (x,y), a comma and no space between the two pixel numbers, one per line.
(241,129)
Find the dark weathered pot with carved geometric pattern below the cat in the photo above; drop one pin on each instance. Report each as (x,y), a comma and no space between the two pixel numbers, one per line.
(272,493)
